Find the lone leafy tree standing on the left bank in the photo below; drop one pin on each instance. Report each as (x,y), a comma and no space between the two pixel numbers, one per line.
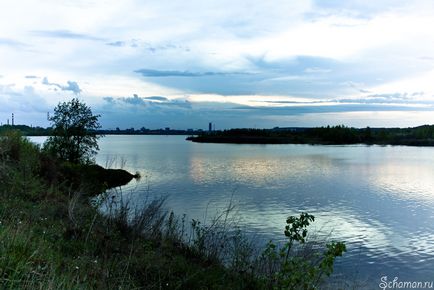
(74,137)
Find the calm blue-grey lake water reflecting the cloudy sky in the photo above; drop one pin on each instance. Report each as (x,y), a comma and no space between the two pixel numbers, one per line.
(380,200)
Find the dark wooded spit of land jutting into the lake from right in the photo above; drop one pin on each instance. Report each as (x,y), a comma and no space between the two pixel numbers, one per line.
(337,135)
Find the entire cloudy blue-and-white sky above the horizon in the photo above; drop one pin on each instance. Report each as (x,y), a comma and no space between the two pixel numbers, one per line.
(257,64)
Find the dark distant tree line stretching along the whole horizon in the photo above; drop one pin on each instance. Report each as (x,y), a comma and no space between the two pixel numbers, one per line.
(340,134)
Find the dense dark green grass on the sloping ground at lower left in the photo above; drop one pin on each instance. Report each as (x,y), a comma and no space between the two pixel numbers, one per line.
(51,237)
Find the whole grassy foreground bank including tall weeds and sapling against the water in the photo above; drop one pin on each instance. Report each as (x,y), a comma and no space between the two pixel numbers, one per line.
(53,236)
